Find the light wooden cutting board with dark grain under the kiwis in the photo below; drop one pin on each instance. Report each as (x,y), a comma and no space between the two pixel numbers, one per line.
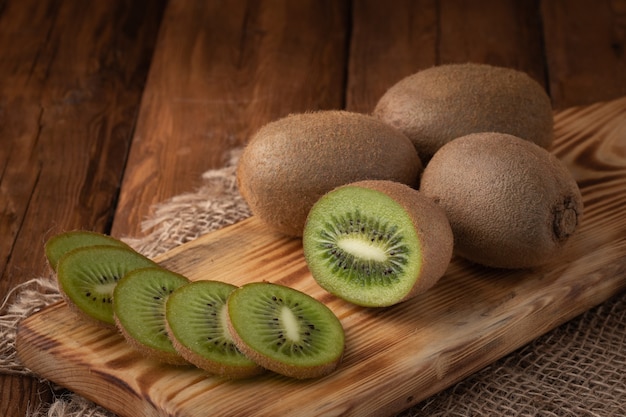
(396,356)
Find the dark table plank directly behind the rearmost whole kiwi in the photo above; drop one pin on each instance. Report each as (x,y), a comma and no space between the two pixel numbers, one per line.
(391,40)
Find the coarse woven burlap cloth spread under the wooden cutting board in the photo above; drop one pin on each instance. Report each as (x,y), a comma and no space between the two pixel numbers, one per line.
(578,369)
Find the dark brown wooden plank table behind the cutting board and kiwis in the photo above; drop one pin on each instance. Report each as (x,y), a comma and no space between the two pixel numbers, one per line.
(107,107)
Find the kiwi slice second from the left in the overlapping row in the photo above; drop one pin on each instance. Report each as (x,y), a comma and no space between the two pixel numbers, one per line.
(87,276)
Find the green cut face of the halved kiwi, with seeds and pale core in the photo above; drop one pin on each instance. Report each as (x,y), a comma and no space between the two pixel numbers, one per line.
(361,245)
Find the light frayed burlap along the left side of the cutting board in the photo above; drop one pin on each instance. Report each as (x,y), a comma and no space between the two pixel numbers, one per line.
(216,204)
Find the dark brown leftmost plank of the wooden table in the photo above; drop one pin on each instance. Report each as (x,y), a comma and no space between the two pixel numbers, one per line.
(71,76)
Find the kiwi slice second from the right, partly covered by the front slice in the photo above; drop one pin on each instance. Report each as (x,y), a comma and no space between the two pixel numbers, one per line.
(196,319)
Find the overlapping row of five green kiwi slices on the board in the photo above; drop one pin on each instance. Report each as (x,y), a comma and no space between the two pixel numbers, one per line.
(230,331)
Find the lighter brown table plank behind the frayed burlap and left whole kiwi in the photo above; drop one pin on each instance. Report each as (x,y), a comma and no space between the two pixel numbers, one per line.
(221,70)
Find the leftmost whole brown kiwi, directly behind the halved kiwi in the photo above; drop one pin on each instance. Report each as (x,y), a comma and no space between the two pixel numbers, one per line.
(291,162)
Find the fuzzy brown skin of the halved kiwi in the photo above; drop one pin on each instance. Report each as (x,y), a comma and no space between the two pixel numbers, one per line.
(433,230)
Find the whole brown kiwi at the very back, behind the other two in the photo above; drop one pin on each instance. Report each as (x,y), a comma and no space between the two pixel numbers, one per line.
(440,103)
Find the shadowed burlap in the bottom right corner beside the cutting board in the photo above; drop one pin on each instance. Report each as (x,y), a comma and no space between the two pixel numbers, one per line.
(576,370)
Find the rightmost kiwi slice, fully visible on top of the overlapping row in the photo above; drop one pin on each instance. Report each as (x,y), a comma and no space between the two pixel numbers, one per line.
(285,330)
